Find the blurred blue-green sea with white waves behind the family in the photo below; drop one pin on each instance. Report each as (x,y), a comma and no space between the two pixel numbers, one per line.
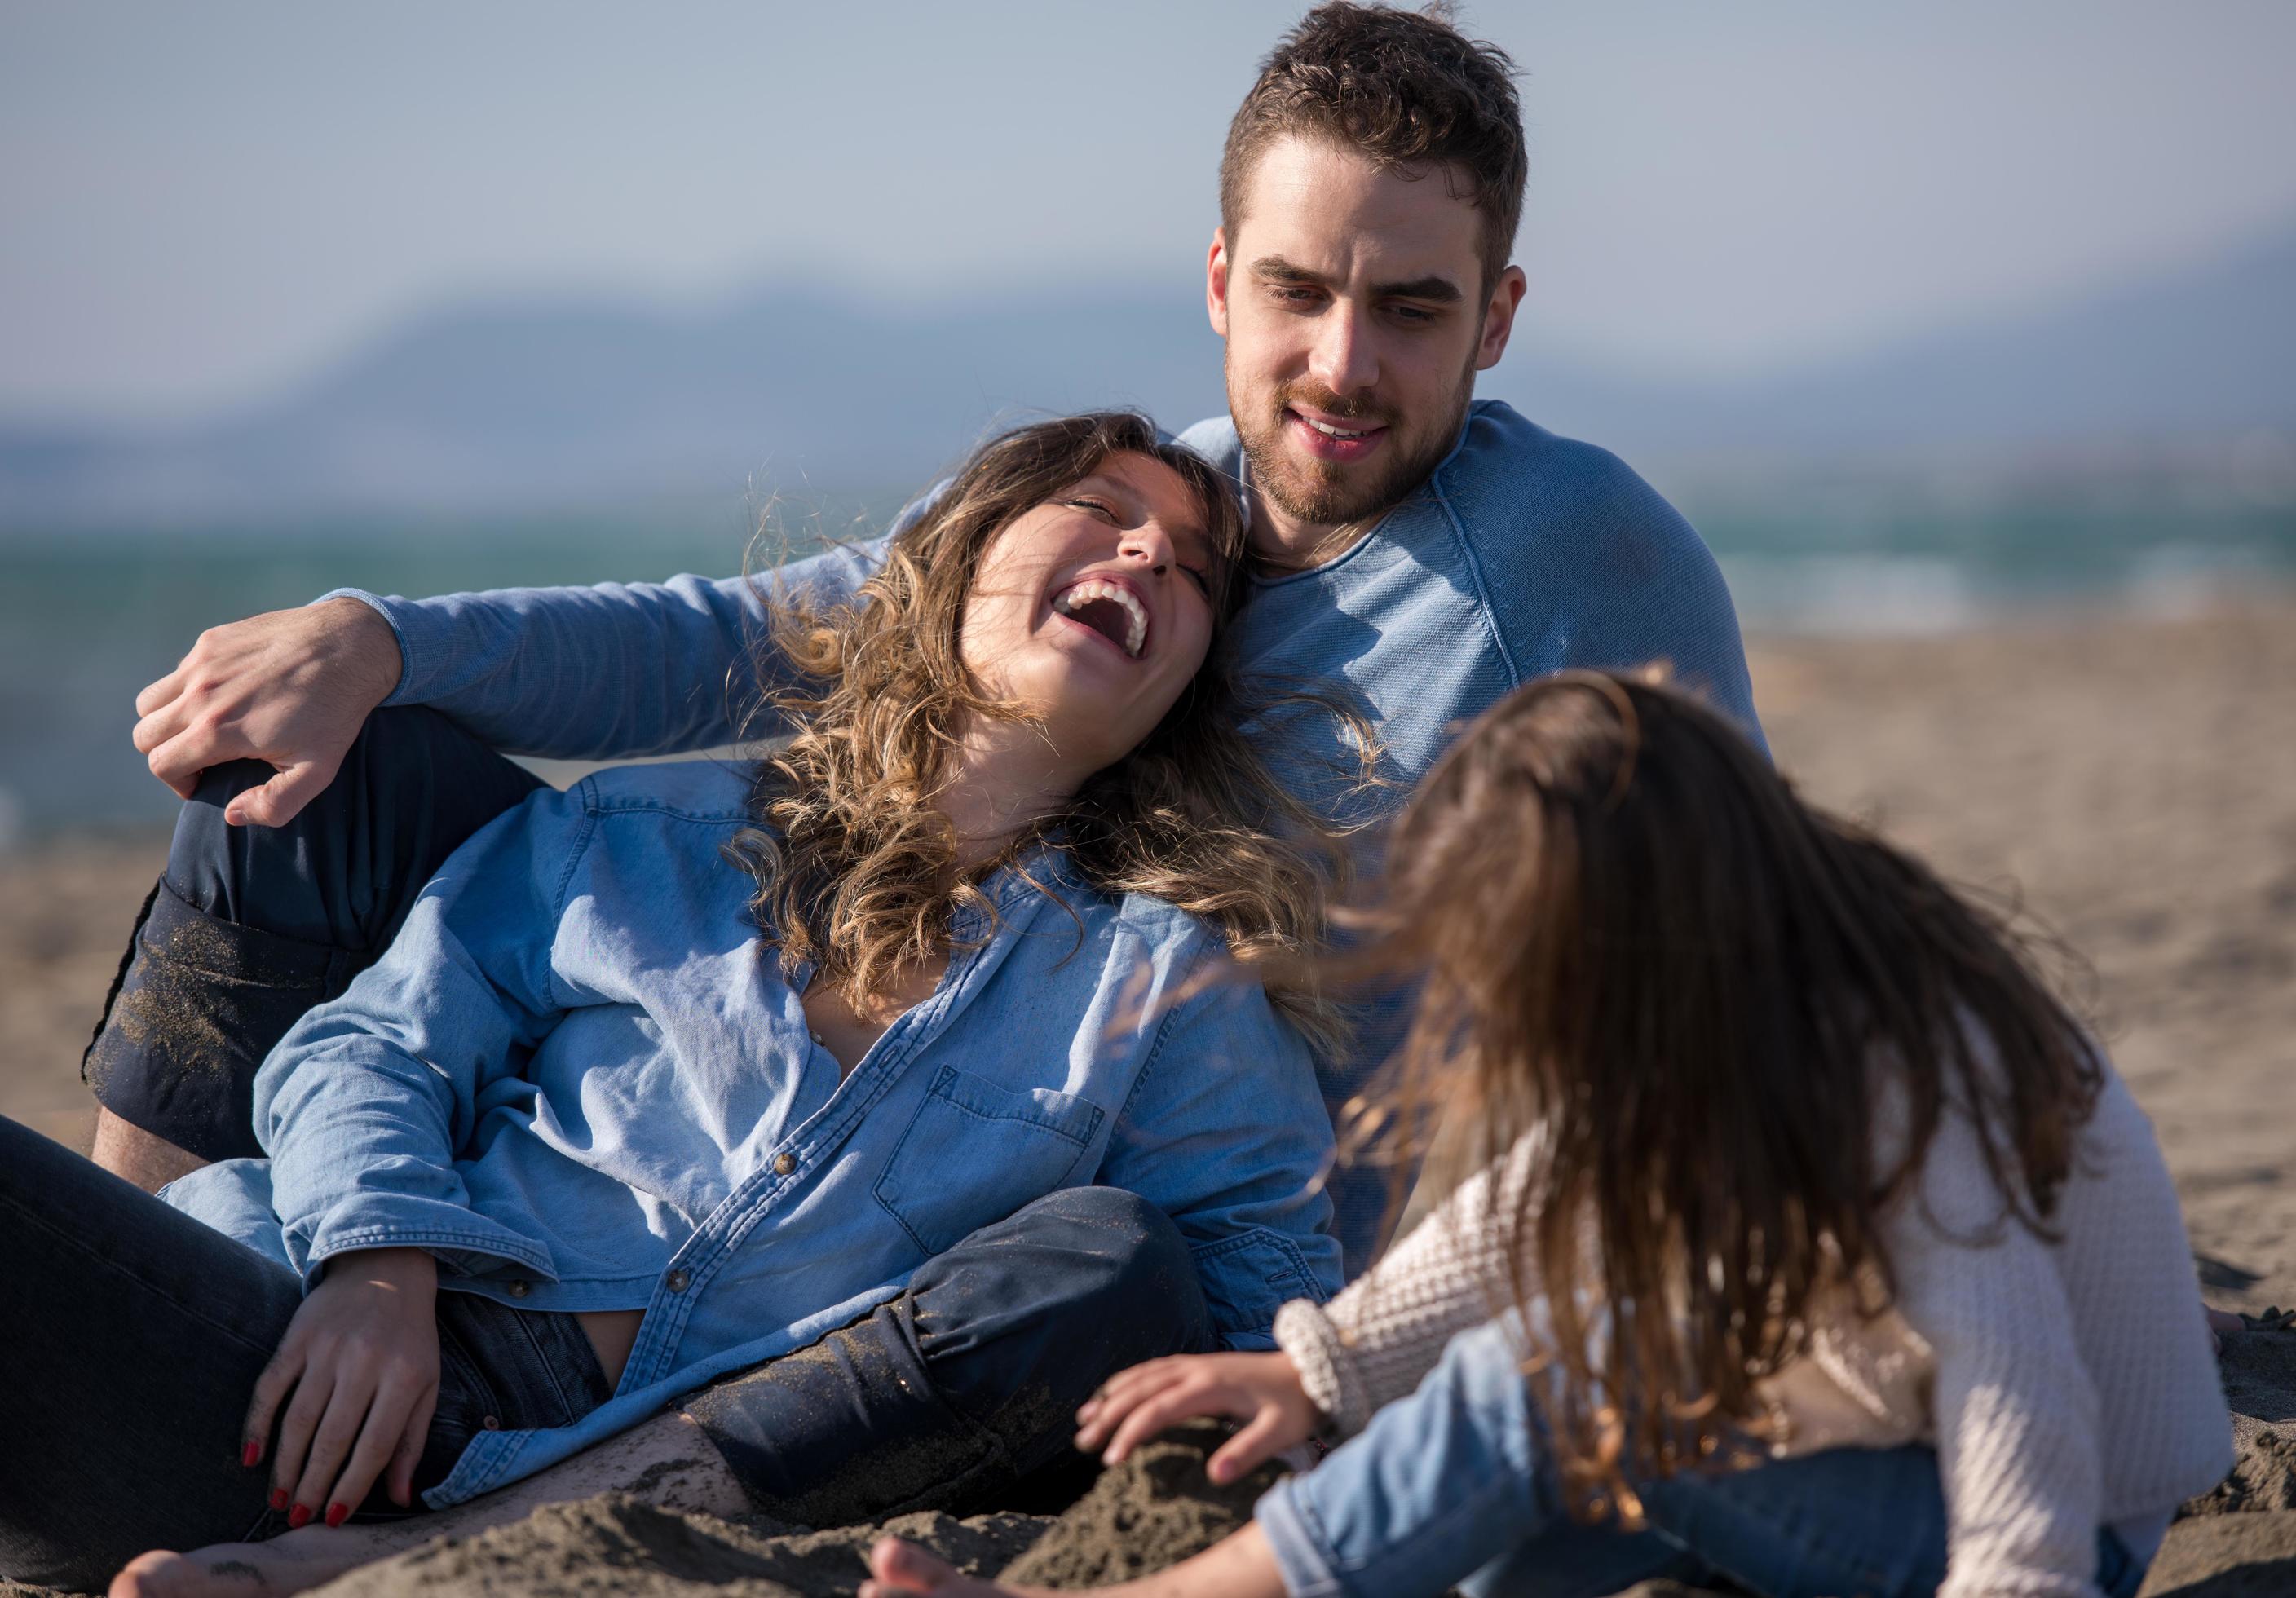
(88,619)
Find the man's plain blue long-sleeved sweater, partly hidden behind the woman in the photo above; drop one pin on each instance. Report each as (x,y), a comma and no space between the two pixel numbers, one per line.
(1519,557)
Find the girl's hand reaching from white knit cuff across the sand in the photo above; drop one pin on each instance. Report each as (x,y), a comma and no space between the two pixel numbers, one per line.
(1259,1390)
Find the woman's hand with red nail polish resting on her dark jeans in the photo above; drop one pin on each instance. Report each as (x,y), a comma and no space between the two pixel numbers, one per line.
(362,1360)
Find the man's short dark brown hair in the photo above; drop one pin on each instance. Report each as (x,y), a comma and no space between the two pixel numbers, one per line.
(1399,88)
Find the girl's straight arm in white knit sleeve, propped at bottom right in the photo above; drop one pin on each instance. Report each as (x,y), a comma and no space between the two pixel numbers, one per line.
(2015,1406)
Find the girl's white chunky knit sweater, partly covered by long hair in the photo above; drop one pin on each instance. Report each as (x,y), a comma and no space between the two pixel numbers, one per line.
(2065,1386)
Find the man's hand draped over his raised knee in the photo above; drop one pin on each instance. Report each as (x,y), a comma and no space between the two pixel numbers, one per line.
(288,688)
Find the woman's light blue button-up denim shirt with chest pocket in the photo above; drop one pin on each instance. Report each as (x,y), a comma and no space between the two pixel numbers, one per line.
(582,1083)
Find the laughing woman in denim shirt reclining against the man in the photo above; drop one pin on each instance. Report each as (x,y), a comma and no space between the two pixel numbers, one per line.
(688,1066)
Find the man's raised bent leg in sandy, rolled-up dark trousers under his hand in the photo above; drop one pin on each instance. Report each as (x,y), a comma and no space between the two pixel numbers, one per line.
(251,926)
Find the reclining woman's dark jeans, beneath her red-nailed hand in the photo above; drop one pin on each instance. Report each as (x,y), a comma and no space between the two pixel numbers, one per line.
(132,1344)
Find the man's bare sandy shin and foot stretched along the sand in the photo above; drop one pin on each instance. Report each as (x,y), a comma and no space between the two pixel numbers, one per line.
(665,1461)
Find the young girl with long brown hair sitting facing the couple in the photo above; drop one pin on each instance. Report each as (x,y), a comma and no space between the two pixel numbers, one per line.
(1810,1246)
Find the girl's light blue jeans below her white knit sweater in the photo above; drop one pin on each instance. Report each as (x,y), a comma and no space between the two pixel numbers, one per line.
(1455,1487)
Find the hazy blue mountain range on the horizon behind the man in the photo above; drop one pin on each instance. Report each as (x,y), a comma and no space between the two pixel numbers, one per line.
(509,405)
